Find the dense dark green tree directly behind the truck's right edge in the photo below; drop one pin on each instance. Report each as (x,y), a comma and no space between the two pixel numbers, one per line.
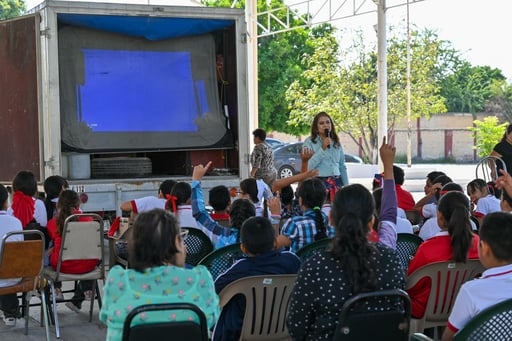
(279,63)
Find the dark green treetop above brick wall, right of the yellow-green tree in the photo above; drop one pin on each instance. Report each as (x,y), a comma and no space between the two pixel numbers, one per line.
(469,87)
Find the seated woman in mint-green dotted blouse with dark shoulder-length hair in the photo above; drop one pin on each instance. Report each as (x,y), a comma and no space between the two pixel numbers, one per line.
(157,274)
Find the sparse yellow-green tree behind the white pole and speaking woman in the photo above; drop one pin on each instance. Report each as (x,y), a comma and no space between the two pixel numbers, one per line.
(346,87)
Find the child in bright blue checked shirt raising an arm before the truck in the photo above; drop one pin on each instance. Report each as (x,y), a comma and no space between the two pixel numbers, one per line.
(240,210)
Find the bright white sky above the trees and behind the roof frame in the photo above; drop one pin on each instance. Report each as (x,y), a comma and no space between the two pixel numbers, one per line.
(477,28)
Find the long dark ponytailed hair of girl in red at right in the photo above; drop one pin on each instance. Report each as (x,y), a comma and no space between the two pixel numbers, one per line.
(454,206)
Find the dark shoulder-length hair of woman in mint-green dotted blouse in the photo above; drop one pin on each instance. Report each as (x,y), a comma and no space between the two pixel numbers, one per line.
(153,240)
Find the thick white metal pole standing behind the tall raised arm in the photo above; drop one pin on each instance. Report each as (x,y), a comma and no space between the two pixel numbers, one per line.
(382,78)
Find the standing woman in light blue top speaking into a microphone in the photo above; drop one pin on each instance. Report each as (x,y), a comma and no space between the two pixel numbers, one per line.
(328,156)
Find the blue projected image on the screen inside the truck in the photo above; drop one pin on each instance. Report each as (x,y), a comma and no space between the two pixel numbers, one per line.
(139,91)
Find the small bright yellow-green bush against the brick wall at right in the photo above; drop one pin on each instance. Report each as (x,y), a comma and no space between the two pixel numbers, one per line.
(487,133)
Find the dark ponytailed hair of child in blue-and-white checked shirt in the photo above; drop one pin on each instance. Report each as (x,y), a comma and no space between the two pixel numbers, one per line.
(313,194)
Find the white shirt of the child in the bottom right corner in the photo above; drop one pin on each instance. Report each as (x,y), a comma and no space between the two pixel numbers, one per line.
(479,294)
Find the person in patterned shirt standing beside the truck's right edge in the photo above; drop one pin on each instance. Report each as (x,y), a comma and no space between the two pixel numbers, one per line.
(262,159)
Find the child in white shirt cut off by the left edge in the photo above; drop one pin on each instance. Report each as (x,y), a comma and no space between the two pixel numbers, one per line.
(8,223)
